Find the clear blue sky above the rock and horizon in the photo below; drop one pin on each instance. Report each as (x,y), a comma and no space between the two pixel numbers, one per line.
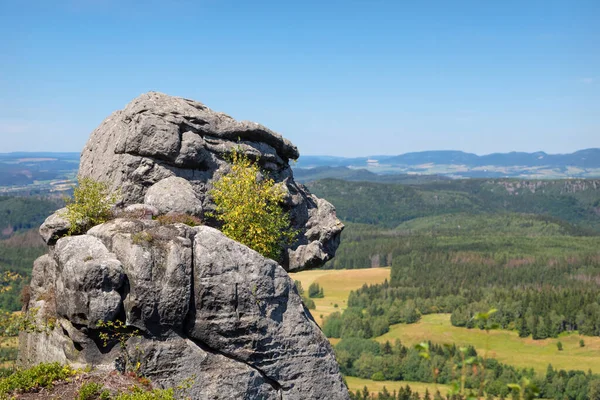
(341,78)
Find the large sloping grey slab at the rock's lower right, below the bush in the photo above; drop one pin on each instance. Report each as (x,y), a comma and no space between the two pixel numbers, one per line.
(246,306)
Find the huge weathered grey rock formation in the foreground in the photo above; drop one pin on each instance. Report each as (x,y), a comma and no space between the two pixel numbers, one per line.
(178,303)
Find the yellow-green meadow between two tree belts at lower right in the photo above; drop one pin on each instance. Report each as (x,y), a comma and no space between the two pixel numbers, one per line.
(506,346)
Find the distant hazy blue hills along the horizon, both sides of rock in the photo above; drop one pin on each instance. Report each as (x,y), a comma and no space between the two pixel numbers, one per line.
(48,171)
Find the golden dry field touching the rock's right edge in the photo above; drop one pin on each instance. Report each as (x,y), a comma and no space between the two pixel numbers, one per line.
(337,285)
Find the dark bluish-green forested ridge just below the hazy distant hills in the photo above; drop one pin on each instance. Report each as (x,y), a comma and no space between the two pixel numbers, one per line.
(388,205)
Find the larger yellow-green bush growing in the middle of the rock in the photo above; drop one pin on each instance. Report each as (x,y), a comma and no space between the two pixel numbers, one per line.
(250,208)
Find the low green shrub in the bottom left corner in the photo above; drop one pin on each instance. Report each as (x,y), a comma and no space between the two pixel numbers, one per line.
(42,375)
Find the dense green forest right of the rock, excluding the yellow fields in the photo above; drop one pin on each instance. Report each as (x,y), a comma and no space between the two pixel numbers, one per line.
(529,250)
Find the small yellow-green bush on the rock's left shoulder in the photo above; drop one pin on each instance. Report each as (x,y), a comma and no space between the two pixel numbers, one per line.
(91,205)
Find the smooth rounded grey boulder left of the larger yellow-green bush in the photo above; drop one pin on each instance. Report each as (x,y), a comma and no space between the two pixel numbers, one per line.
(174,195)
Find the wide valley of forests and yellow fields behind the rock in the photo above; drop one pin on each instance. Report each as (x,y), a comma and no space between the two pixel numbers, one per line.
(419,261)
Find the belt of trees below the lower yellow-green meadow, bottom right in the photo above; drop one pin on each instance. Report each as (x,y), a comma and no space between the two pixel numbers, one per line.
(449,364)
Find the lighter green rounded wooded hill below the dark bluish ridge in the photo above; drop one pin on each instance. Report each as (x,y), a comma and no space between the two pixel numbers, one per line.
(365,246)
